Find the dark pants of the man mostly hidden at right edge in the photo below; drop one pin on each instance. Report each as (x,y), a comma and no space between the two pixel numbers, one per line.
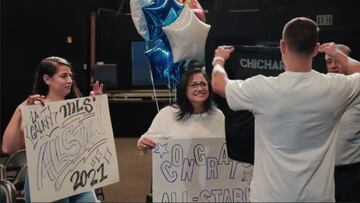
(347,183)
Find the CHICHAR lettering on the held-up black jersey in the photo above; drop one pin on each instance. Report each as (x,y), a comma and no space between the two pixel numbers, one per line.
(261,64)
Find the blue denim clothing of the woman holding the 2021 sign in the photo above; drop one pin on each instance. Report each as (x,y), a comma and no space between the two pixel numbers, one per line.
(82,197)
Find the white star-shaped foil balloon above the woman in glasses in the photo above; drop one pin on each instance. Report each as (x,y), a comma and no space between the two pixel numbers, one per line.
(187,37)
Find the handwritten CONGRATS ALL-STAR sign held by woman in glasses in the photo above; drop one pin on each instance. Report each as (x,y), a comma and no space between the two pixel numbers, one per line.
(198,170)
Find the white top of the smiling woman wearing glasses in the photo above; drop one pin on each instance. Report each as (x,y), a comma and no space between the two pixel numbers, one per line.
(205,125)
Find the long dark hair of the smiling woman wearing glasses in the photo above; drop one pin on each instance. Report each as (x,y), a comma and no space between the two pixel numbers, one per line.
(185,107)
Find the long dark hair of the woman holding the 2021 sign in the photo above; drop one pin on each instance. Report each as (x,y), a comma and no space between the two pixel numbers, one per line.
(48,66)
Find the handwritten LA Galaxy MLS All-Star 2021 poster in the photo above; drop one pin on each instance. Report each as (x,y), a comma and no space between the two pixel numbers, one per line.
(70,147)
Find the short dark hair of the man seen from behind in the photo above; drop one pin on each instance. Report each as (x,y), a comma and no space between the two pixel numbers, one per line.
(301,35)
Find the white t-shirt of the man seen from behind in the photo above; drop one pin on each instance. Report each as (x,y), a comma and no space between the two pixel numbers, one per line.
(296,116)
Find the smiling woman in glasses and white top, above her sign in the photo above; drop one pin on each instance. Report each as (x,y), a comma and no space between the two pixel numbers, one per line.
(193,115)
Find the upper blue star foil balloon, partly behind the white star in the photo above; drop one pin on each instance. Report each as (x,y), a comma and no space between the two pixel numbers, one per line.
(160,13)
